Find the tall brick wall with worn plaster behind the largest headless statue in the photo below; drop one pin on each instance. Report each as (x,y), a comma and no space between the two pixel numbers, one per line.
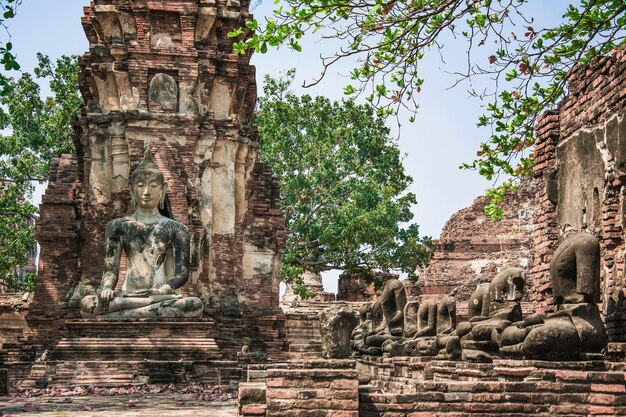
(579,179)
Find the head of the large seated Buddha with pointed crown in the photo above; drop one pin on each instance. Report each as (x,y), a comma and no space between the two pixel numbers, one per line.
(147,185)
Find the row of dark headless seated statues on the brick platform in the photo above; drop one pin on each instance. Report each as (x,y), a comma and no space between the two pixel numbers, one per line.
(495,326)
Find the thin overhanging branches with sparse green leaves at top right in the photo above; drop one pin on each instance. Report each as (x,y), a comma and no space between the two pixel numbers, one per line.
(389,38)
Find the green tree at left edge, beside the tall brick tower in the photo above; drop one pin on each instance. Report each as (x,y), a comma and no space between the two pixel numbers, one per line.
(35,130)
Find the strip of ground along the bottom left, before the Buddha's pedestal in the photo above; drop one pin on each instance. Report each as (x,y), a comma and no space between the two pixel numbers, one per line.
(150,405)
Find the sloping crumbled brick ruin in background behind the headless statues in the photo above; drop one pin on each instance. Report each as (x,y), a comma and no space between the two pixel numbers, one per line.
(473,248)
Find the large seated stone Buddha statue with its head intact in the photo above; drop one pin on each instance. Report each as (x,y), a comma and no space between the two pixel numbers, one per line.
(157,250)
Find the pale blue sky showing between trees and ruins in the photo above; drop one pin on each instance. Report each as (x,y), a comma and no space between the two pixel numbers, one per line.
(443,135)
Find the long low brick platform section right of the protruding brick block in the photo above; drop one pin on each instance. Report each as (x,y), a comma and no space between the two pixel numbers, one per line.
(415,387)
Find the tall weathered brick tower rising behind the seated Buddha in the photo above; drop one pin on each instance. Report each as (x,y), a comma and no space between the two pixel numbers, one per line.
(161,76)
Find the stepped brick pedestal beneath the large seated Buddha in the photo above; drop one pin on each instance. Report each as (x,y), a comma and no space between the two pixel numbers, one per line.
(122,352)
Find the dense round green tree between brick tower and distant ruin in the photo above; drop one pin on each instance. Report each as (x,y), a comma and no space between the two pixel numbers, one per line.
(343,186)
